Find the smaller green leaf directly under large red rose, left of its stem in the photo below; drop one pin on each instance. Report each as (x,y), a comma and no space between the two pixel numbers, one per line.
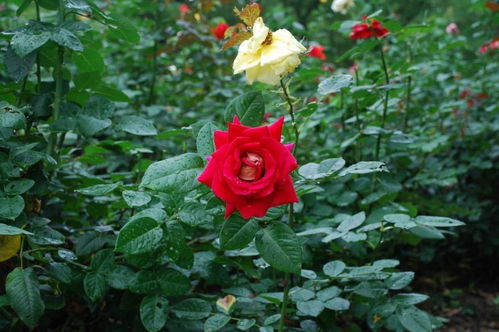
(237,233)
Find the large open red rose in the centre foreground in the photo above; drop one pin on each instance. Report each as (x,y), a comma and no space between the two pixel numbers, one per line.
(250,169)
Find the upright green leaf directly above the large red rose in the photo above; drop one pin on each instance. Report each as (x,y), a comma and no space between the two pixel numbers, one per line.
(249,107)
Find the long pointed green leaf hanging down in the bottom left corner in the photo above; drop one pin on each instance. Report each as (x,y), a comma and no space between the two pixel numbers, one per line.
(24,295)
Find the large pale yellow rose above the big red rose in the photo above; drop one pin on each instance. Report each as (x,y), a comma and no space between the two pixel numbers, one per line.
(267,55)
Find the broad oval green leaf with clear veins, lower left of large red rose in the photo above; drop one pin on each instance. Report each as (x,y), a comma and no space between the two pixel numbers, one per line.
(139,236)
